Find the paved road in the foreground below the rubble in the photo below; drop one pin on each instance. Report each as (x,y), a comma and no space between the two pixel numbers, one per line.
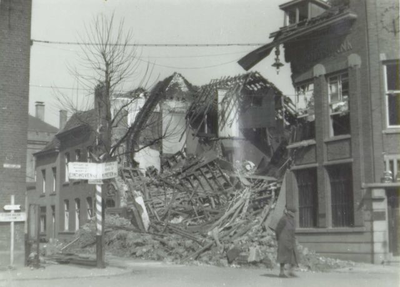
(157,274)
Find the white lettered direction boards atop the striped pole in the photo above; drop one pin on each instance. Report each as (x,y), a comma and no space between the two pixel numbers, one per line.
(95,171)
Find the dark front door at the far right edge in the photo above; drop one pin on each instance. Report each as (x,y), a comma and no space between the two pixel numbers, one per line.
(394,221)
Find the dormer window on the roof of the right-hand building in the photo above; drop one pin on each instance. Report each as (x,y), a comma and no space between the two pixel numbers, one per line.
(297,11)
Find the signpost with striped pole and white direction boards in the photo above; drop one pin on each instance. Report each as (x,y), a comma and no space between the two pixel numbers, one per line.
(95,173)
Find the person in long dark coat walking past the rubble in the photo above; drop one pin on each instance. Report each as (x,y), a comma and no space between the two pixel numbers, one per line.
(285,236)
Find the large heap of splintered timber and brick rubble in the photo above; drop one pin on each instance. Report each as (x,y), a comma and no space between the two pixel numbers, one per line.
(197,214)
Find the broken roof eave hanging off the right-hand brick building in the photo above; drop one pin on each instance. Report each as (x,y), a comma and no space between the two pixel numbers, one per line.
(331,16)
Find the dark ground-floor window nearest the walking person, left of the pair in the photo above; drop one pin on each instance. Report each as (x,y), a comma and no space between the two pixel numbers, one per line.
(308,197)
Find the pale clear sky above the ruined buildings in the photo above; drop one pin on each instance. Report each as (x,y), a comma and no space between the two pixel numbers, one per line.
(152,22)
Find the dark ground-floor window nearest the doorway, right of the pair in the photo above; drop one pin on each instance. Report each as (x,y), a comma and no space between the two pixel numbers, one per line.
(341,180)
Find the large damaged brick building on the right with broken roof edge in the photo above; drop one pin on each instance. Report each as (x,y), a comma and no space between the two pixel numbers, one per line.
(344,176)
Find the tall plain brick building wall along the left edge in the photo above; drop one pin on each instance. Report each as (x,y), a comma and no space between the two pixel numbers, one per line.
(15,31)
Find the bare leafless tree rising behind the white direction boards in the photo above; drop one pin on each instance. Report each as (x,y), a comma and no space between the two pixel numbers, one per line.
(108,63)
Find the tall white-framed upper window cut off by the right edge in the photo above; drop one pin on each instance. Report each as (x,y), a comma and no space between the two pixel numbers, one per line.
(392,90)
